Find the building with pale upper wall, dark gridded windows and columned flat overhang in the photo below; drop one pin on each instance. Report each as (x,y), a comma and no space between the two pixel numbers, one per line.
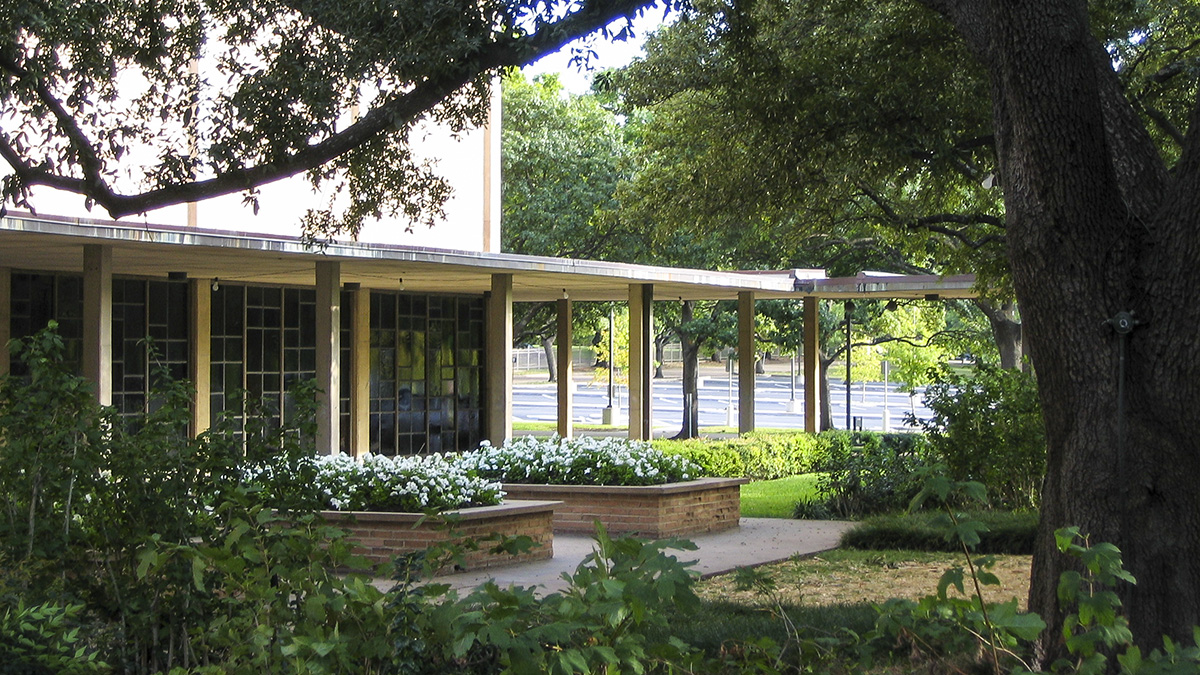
(407,334)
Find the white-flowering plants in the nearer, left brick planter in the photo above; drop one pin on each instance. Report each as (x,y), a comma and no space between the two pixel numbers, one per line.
(377,483)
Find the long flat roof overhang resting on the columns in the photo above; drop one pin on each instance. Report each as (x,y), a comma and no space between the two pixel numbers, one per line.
(56,244)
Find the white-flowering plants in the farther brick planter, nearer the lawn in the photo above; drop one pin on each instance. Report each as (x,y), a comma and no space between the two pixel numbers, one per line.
(579,462)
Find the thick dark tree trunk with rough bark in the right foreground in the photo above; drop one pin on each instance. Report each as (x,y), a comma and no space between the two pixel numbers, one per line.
(1096,226)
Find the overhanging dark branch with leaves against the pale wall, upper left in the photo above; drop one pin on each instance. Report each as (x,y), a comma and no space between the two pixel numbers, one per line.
(100,101)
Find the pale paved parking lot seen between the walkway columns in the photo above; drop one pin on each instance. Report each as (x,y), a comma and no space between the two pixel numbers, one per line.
(537,402)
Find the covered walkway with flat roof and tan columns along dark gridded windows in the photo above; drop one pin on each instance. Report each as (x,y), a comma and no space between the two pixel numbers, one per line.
(340,283)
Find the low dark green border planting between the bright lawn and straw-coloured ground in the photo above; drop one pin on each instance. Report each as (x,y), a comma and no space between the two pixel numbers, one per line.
(1007,533)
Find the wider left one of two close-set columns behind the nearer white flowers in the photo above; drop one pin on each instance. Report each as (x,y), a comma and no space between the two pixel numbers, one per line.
(329,356)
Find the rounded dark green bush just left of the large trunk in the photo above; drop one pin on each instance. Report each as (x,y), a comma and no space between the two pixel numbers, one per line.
(987,427)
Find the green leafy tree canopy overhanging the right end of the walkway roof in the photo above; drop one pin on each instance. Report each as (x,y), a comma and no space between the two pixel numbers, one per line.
(817,134)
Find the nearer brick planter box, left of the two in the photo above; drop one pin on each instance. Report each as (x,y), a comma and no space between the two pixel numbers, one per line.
(383,536)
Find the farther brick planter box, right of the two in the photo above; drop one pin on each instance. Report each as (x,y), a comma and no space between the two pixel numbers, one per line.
(674,510)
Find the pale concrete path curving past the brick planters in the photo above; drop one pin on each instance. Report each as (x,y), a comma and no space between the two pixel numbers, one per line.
(759,541)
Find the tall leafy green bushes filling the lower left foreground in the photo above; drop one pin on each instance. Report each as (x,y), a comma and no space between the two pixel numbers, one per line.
(175,560)
